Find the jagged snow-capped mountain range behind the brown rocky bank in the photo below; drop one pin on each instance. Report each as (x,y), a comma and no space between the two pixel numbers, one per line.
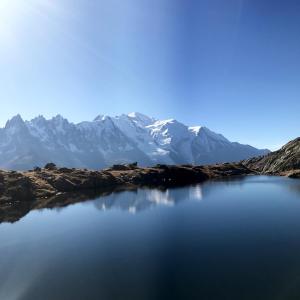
(110,140)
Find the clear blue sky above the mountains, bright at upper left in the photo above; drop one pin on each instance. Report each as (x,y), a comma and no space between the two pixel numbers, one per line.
(231,65)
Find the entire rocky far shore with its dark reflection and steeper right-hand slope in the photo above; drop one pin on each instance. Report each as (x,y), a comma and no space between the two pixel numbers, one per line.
(52,186)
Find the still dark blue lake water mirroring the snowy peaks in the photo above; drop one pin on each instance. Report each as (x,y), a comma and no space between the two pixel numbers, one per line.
(236,239)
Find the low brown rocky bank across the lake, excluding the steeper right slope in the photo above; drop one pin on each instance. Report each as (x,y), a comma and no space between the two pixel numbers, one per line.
(49,181)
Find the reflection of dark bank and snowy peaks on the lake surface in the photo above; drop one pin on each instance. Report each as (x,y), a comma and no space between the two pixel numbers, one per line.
(136,199)
